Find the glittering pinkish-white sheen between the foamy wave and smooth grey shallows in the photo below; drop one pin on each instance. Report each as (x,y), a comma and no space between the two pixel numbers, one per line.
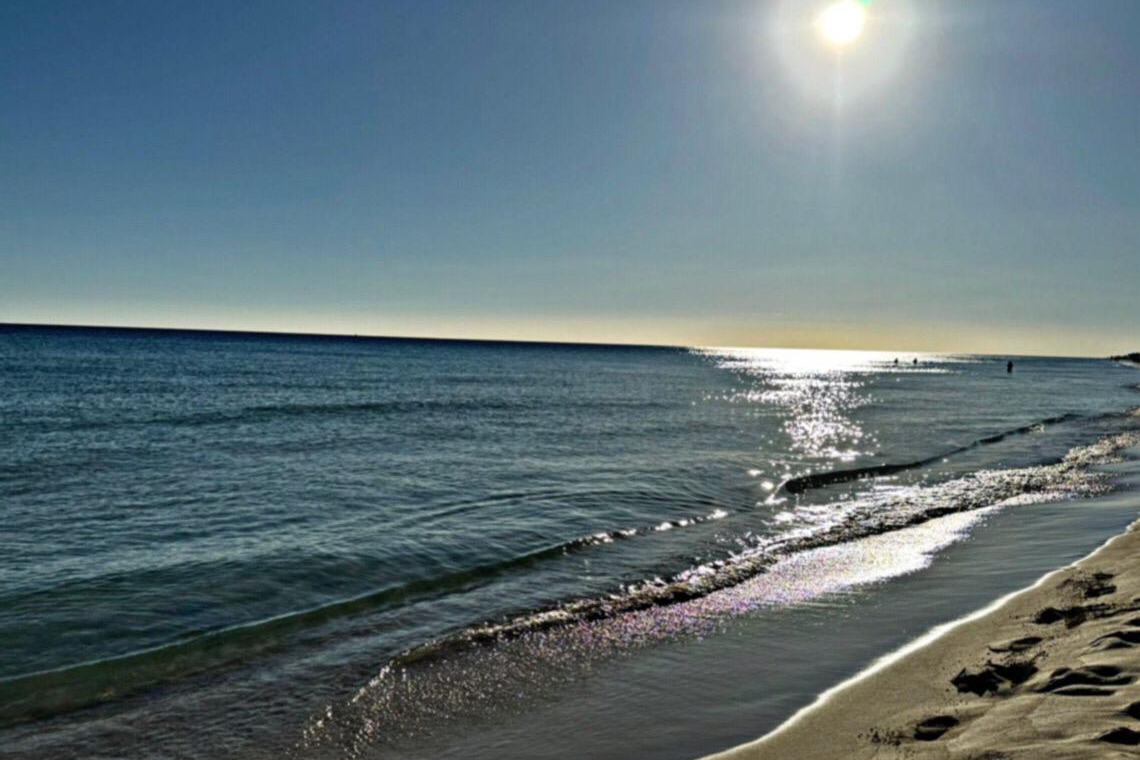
(408,702)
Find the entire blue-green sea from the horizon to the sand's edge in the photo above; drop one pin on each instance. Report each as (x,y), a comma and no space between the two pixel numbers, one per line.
(226,545)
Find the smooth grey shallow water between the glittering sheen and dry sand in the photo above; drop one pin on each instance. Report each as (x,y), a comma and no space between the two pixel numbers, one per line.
(694,697)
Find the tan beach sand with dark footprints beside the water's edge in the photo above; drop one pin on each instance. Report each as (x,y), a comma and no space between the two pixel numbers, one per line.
(1053,672)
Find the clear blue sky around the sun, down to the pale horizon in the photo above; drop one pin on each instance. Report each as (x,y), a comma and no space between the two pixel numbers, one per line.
(965,177)
